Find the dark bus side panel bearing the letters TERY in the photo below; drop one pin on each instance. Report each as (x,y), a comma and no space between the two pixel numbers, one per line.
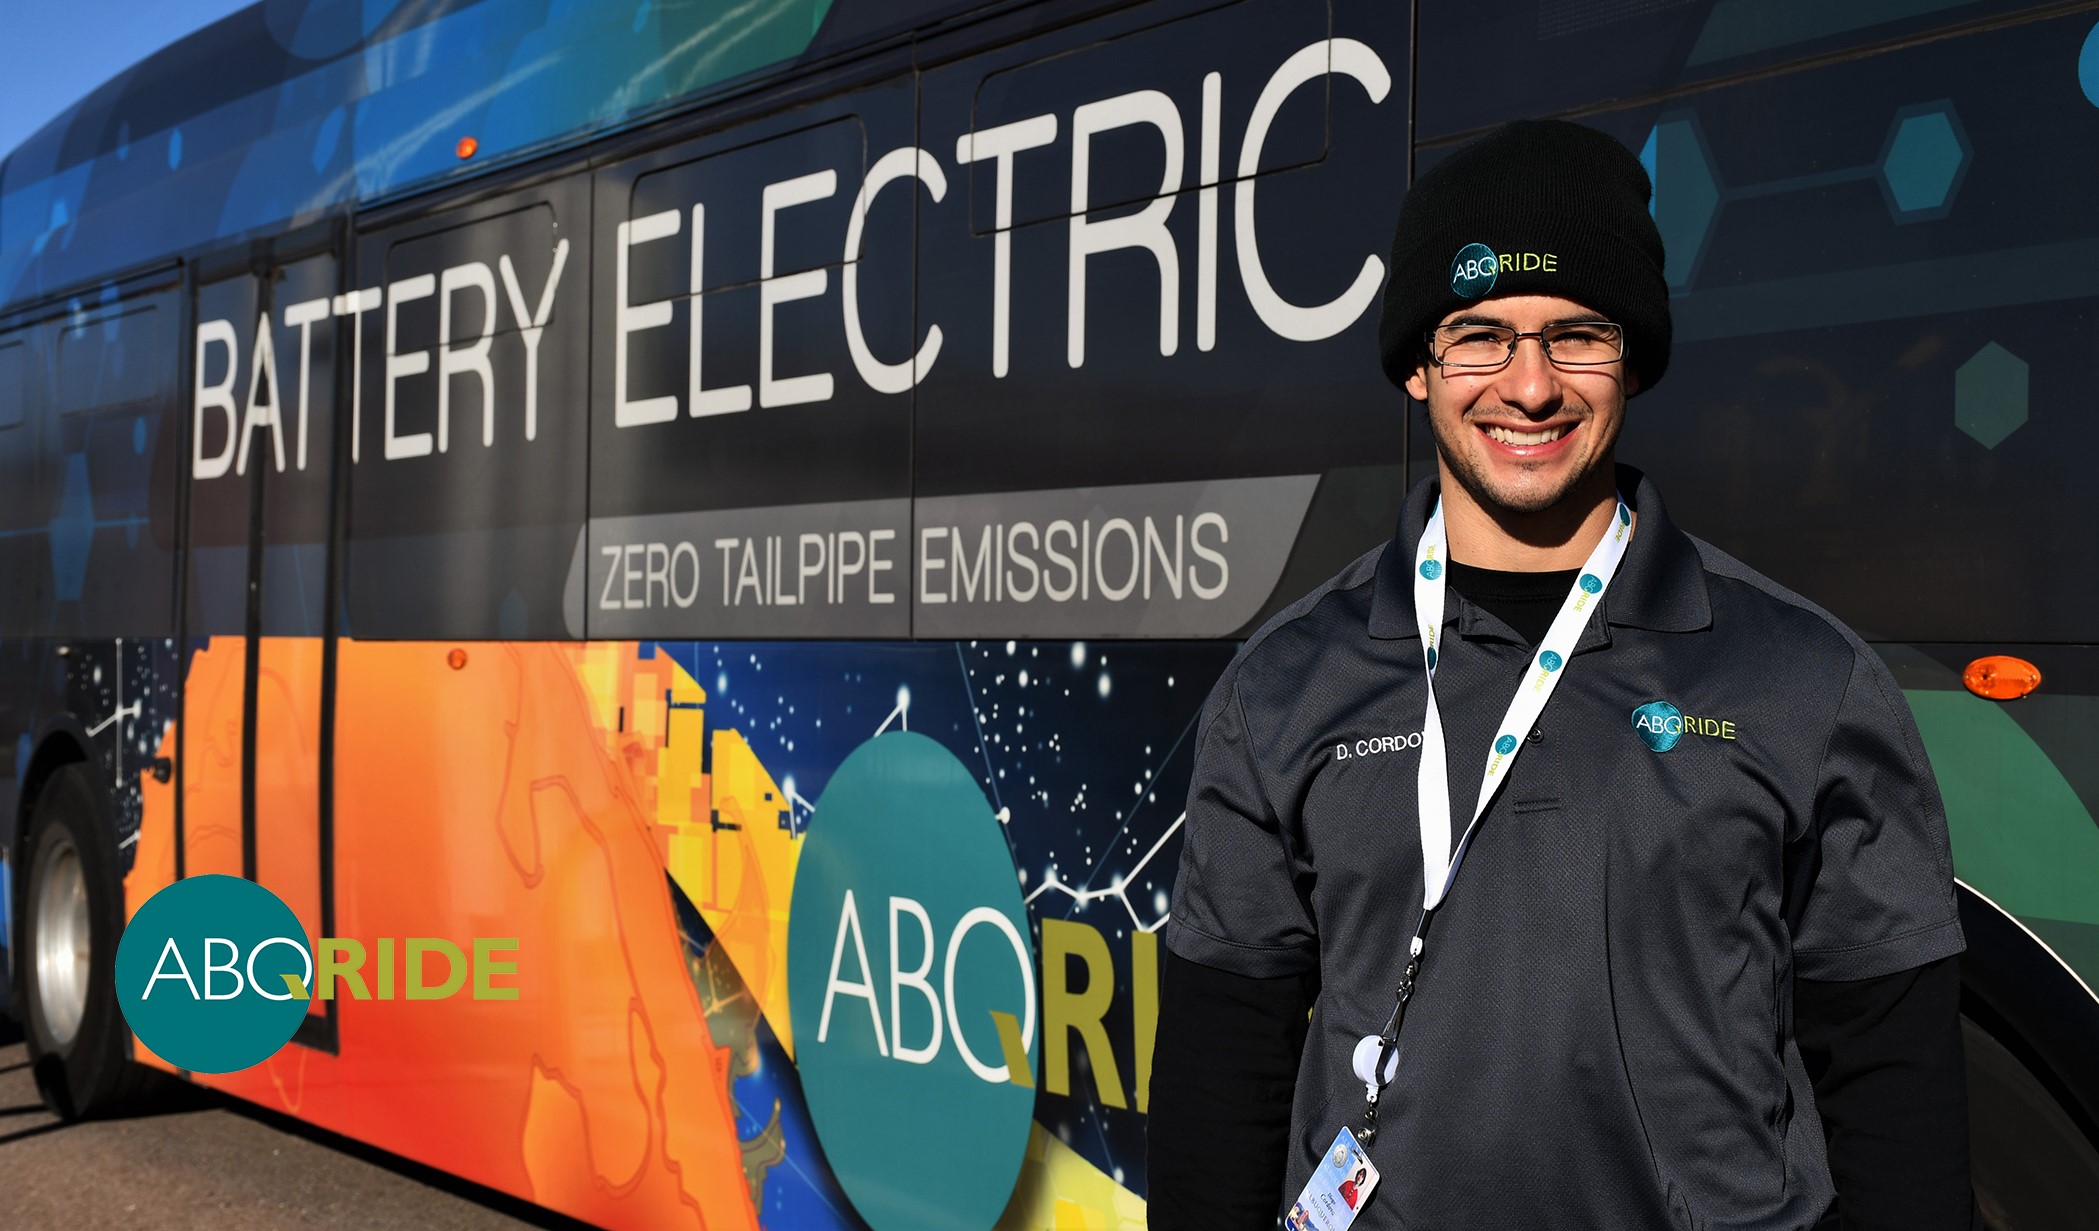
(469,417)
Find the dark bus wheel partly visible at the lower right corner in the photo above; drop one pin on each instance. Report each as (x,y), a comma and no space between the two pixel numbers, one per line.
(2031,1163)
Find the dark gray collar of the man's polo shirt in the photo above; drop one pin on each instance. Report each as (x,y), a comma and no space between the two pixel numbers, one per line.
(1659,585)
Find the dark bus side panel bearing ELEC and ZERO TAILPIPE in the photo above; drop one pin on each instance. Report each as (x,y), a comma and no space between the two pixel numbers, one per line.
(755,369)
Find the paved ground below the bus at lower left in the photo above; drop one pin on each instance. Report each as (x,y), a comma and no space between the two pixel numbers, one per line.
(217,1165)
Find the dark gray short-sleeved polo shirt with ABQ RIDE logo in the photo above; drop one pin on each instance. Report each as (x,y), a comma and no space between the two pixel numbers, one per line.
(1603,1030)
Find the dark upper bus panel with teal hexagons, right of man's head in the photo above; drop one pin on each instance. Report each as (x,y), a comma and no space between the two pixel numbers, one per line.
(1886,278)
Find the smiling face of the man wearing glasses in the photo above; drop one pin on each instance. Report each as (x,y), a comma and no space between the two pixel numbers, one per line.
(1525,436)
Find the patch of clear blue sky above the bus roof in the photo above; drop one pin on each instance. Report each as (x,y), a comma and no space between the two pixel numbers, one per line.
(56,51)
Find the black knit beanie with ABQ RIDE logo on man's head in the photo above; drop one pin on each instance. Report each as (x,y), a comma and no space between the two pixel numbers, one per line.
(1540,207)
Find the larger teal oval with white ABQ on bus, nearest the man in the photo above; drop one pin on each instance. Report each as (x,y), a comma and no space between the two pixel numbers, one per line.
(906,936)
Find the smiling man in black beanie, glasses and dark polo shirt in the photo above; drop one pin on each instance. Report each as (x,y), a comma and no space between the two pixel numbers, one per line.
(1695,963)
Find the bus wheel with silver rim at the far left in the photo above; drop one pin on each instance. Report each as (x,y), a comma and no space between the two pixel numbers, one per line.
(79,1041)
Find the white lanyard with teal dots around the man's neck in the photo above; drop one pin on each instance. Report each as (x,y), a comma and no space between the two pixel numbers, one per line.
(1376,1060)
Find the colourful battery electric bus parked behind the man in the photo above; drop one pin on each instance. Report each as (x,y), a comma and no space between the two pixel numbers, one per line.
(429,432)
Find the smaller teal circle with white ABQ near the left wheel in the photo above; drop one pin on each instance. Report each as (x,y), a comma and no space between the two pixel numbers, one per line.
(207,969)
